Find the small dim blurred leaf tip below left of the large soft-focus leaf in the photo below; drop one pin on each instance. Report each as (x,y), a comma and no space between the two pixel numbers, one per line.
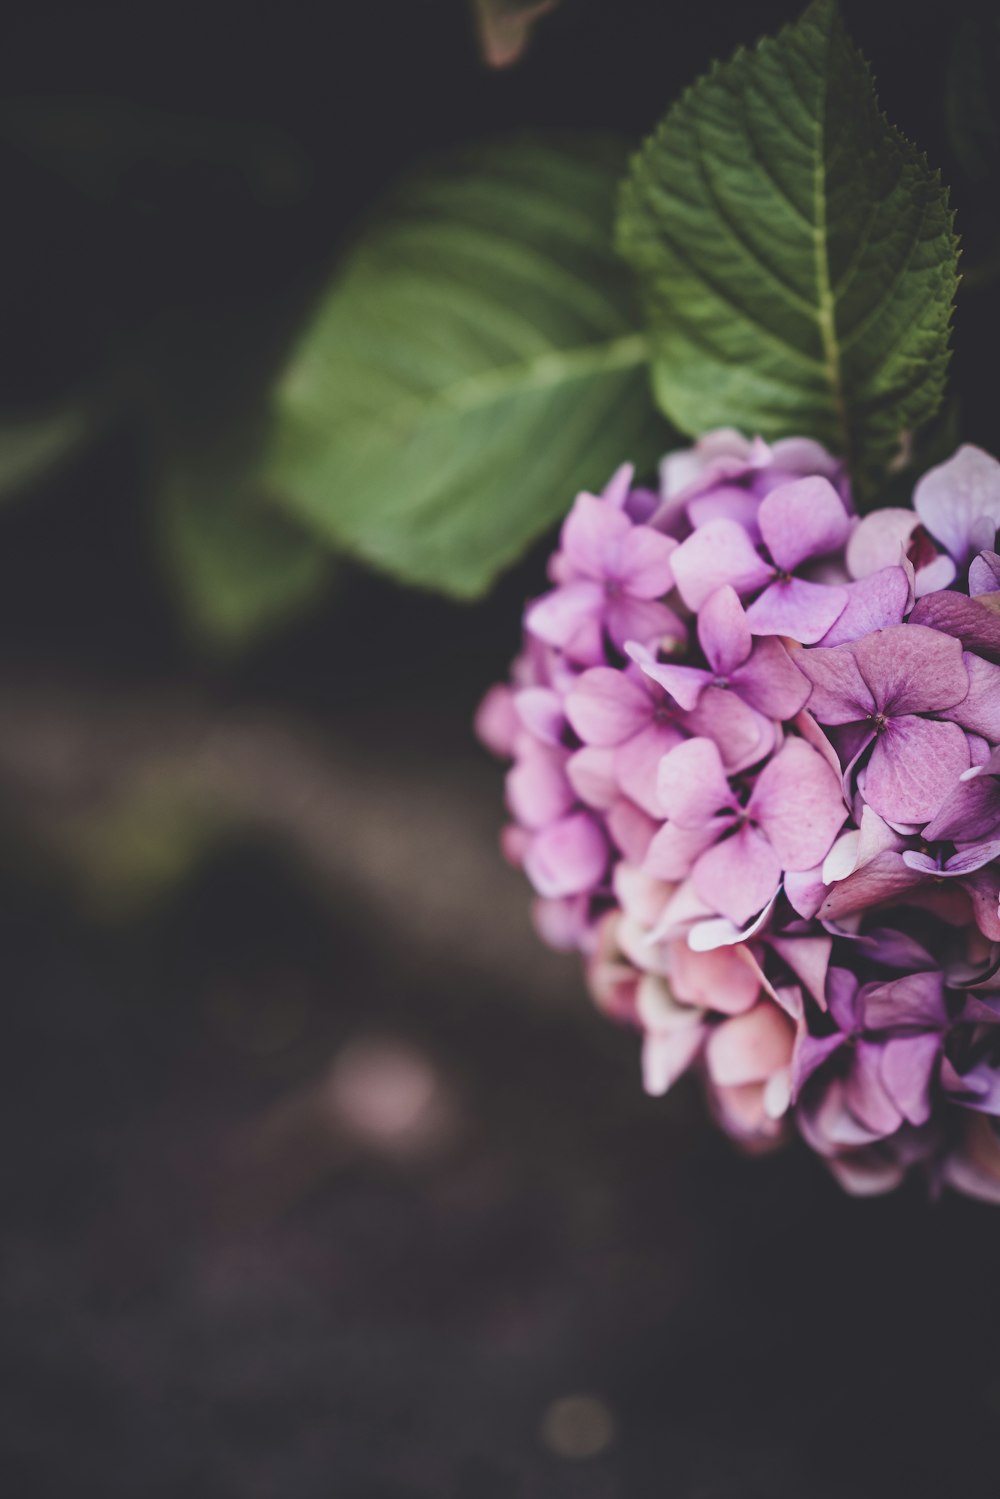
(241,566)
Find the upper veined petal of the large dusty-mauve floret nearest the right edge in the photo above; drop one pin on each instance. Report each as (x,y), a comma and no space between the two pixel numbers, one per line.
(912,669)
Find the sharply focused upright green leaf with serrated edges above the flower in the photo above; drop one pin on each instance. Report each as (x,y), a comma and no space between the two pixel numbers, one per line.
(795,253)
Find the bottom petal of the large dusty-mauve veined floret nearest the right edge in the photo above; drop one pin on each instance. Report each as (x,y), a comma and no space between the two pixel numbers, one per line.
(915,764)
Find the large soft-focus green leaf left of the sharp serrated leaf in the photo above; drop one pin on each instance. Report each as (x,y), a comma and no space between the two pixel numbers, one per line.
(476,364)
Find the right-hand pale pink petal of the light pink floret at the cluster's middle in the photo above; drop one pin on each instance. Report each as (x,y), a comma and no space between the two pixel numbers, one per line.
(800,806)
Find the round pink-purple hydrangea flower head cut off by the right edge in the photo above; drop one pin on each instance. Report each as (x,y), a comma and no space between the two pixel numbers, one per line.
(755,780)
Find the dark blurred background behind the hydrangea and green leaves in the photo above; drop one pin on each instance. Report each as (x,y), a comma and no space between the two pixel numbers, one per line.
(320,1176)
